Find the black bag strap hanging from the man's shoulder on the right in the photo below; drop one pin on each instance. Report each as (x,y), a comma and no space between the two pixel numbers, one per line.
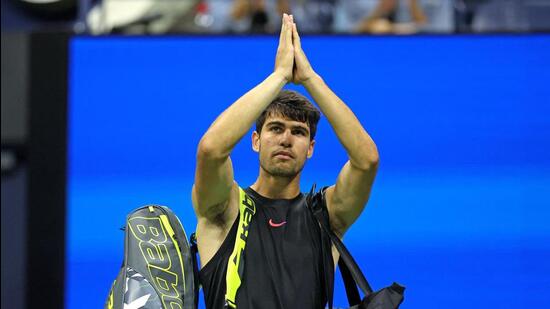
(351,273)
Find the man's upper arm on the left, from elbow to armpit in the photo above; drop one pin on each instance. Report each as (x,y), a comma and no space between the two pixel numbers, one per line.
(213,184)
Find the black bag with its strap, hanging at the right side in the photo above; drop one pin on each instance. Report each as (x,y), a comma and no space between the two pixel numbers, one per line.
(387,298)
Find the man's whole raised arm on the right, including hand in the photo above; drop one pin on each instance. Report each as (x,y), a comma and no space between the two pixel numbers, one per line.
(347,198)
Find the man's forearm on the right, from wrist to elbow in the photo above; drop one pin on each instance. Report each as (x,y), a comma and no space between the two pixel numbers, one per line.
(357,142)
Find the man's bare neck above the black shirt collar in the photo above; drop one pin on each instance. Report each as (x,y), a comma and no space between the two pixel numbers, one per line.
(276,187)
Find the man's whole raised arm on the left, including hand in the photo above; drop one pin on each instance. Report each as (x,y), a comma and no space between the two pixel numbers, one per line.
(214,171)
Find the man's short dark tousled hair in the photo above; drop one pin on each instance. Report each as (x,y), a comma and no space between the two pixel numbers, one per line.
(294,106)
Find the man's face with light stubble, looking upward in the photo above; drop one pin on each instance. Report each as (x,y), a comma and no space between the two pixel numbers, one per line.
(284,146)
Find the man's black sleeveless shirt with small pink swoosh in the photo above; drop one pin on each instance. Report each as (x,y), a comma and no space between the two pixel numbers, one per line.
(287,259)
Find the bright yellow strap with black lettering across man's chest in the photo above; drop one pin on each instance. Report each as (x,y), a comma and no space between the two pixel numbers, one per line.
(235,265)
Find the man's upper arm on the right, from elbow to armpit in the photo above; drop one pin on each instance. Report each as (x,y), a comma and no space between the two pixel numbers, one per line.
(348,197)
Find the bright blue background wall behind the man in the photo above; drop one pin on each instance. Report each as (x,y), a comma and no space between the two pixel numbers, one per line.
(459,210)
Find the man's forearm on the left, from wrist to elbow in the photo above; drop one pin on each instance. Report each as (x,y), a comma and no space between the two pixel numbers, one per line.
(236,120)
